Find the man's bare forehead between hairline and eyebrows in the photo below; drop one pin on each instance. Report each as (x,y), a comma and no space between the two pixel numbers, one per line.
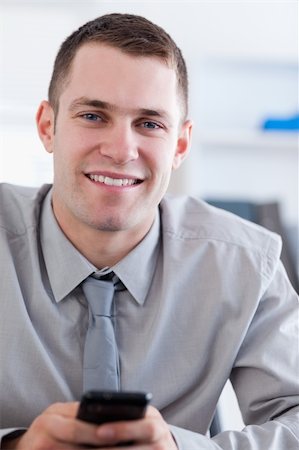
(103,72)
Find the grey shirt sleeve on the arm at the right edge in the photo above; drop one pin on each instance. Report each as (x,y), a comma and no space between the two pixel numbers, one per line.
(264,377)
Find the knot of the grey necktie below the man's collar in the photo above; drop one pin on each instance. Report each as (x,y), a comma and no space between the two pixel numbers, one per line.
(99,295)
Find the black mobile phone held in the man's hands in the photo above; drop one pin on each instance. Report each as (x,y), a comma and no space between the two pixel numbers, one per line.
(111,406)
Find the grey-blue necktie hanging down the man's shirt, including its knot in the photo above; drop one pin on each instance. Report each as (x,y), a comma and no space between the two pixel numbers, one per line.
(101,361)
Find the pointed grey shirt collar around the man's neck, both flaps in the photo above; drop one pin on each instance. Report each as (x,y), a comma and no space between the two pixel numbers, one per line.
(67,268)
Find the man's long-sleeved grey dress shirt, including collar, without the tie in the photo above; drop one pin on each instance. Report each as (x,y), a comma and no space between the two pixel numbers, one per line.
(207,299)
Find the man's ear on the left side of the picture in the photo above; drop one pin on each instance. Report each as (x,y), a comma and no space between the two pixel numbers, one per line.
(45,121)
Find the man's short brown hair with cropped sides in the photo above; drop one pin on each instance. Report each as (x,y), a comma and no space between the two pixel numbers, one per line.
(130,33)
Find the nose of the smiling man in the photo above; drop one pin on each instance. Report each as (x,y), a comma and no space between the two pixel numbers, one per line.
(120,144)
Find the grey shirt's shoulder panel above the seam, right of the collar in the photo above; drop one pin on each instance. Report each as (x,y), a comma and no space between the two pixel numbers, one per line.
(190,219)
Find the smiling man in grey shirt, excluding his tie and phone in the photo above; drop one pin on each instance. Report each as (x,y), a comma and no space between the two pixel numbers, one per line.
(204,296)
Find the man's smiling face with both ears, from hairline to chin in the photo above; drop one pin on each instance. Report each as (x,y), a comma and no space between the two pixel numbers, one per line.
(118,135)
